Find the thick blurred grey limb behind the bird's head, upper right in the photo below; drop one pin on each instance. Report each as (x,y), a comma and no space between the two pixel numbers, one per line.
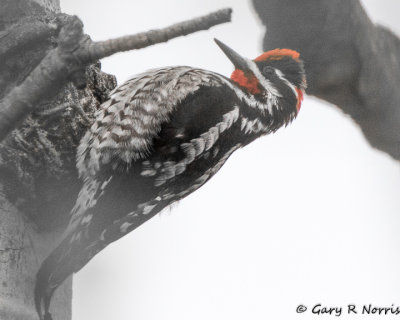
(349,61)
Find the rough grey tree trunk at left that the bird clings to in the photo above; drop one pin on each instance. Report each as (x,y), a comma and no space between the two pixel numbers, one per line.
(38,179)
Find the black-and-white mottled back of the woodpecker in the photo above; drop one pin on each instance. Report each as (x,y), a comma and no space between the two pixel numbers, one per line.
(127,125)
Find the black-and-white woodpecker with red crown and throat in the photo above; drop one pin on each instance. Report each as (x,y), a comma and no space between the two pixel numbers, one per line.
(162,135)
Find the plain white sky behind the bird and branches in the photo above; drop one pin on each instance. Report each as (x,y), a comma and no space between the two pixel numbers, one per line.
(308,215)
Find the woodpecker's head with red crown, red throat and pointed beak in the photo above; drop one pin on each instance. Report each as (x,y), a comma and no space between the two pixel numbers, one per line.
(276,77)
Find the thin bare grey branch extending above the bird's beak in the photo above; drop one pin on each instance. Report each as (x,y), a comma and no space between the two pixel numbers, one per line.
(74,52)
